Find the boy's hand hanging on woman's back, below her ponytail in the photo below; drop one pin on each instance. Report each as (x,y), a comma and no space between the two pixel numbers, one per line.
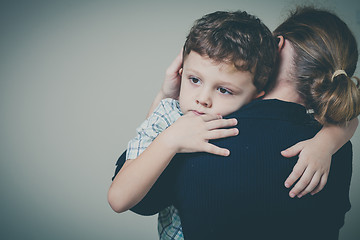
(313,167)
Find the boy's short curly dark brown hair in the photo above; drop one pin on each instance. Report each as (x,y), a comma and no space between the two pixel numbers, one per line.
(236,38)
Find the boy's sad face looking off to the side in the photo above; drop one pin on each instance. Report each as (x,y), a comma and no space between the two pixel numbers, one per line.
(211,88)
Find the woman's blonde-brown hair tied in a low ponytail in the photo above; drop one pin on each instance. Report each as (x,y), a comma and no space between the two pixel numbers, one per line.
(325,60)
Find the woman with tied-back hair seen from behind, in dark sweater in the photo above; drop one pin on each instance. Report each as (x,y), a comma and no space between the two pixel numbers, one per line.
(239,197)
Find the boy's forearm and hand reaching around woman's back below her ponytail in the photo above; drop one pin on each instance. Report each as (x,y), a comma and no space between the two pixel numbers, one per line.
(315,158)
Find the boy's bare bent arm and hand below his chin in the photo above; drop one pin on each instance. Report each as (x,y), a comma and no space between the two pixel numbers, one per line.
(190,133)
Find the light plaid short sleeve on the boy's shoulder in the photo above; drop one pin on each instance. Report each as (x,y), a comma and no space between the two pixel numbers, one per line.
(163,116)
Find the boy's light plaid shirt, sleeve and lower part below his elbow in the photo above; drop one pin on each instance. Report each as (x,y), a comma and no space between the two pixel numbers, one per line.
(168,111)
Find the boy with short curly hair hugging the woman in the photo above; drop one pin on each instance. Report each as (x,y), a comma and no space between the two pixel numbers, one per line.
(227,59)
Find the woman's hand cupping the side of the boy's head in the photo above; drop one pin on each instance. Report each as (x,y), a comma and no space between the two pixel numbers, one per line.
(171,85)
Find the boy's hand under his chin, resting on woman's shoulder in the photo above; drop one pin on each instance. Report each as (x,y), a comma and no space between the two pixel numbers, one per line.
(191,133)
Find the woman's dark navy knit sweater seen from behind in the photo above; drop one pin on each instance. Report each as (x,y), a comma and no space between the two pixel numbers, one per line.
(243,196)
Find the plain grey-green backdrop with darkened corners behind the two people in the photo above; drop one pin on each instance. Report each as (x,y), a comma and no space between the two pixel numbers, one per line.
(76,79)
